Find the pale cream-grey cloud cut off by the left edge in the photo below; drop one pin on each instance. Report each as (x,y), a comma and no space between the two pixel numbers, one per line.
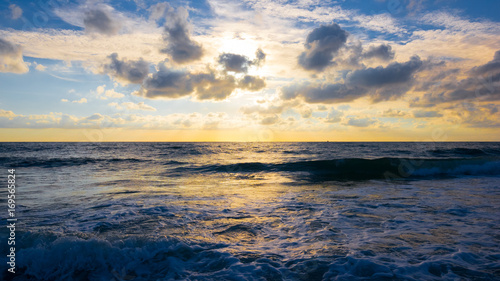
(11,58)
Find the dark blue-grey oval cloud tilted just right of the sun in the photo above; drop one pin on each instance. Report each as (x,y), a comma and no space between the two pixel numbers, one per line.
(321,46)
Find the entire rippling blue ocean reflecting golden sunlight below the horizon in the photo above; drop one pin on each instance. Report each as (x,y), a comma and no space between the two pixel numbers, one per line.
(253,211)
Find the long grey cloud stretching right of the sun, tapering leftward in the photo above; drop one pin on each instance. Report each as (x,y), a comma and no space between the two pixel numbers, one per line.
(380,83)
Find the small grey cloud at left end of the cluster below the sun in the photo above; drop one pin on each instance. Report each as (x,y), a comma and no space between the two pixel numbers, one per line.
(126,71)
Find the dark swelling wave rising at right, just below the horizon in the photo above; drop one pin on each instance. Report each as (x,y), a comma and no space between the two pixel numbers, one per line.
(358,169)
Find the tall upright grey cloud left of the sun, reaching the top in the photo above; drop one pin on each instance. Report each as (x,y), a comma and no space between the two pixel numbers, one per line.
(176,34)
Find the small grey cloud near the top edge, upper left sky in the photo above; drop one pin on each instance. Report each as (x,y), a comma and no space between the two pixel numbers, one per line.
(100,21)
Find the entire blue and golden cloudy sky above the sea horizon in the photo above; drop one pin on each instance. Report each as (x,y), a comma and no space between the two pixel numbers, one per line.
(250,70)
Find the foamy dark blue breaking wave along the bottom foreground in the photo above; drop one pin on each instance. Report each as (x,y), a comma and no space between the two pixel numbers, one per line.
(81,256)
